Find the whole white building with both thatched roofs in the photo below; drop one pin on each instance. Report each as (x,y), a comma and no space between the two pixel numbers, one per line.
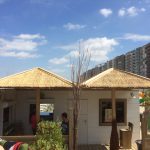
(110,94)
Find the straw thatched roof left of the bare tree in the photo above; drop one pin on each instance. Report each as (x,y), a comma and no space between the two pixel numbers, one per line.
(34,78)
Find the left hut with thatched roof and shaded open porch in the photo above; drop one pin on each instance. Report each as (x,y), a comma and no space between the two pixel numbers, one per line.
(21,92)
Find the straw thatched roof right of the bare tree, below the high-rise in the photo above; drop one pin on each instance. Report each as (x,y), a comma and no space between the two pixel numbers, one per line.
(113,78)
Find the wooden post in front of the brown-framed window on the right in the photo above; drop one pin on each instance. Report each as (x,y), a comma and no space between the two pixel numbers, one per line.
(113,104)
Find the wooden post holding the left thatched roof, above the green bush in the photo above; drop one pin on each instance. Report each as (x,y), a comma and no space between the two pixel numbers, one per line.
(38,105)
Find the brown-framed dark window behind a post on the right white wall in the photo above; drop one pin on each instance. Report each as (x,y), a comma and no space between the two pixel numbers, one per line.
(105,111)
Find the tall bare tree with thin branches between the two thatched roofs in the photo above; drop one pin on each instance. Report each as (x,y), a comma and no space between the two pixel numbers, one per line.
(79,66)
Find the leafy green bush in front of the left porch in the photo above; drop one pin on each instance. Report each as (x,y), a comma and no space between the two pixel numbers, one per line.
(49,137)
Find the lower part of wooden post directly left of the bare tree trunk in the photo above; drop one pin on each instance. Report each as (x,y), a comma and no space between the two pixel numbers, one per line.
(70,129)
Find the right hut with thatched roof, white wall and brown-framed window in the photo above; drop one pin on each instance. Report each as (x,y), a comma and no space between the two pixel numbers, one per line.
(110,94)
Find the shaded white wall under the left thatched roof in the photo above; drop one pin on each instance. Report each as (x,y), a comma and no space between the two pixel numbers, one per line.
(27,97)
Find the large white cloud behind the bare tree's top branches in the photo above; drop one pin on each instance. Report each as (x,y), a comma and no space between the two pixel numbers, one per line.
(99,49)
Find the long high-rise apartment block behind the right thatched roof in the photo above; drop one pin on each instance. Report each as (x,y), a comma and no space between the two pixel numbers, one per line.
(136,61)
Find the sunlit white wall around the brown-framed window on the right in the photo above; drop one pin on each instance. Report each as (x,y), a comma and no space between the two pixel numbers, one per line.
(101,134)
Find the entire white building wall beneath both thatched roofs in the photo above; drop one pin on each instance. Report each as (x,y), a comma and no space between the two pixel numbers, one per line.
(95,134)
